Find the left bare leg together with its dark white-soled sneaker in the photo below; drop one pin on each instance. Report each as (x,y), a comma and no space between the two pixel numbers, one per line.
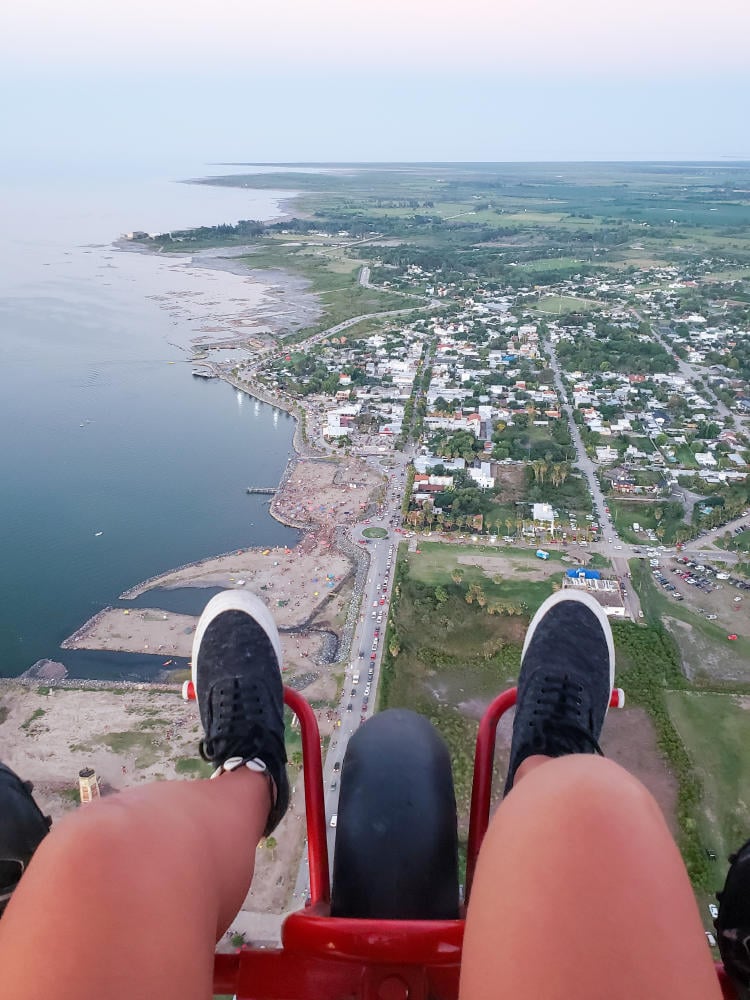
(127,898)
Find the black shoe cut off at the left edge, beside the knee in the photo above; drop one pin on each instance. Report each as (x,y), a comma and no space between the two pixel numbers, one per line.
(23,827)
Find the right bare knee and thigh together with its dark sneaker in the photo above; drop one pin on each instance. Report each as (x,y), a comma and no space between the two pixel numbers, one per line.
(579,890)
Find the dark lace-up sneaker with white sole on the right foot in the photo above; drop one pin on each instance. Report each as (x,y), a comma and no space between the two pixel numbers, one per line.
(567,672)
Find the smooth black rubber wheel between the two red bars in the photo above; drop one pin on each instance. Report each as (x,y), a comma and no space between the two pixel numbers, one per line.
(396,853)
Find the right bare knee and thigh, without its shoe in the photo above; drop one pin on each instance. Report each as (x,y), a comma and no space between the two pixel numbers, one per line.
(580,892)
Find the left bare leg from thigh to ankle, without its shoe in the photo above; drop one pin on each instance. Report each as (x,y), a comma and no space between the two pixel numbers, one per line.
(127,897)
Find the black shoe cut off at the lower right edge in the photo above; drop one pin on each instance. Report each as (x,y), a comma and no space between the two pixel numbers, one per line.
(733,922)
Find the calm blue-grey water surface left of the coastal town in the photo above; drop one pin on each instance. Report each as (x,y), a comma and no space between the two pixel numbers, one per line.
(117,464)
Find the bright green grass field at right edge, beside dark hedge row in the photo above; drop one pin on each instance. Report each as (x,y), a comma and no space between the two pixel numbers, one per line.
(714,728)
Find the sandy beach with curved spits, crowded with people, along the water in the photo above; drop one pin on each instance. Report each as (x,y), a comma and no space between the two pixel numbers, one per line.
(344,485)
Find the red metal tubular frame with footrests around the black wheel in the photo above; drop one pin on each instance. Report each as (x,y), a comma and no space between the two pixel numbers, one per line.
(339,958)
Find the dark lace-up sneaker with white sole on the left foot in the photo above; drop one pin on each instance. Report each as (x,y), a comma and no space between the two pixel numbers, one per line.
(237,679)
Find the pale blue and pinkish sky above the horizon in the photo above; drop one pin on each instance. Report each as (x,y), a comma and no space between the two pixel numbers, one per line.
(332,80)
